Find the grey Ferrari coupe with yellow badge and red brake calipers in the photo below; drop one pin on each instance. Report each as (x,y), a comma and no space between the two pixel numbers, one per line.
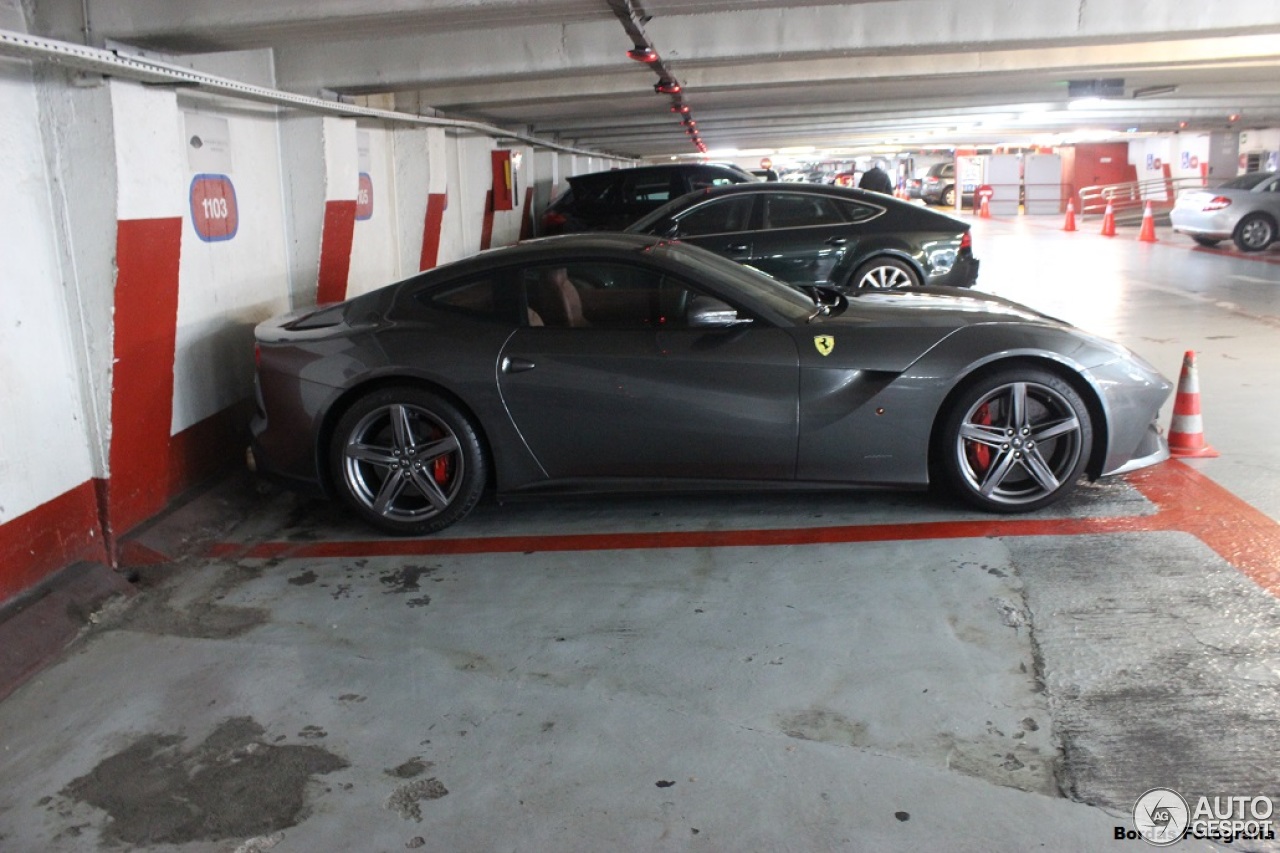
(607,362)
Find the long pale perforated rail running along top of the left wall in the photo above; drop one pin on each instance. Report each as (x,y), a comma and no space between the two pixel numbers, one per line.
(152,72)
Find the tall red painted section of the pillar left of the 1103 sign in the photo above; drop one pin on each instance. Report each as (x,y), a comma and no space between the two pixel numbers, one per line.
(147,327)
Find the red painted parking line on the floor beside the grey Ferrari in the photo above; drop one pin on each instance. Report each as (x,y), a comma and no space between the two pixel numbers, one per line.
(1186,501)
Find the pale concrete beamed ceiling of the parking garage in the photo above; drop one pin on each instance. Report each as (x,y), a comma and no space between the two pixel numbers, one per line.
(758,76)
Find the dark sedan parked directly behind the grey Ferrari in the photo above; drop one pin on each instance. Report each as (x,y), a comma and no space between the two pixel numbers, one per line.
(822,235)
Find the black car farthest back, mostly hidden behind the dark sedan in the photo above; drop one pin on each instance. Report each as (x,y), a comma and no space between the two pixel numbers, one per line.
(614,200)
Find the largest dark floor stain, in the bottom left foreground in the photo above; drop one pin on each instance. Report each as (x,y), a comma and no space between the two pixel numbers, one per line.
(232,786)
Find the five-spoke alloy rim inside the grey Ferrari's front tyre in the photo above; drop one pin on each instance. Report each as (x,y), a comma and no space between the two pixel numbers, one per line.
(1020,444)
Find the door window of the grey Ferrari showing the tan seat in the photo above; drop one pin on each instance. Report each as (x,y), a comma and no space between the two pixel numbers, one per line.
(604,295)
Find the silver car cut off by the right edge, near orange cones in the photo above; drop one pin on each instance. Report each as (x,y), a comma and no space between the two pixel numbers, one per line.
(1245,211)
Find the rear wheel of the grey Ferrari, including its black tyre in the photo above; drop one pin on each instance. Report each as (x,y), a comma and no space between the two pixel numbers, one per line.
(408,462)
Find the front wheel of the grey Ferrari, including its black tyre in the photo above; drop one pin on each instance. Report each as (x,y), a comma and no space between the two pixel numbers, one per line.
(1016,441)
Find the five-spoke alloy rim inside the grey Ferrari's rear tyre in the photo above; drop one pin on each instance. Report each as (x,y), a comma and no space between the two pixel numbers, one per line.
(403,463)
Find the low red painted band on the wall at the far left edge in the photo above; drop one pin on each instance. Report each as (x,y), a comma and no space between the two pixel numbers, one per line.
(51,537)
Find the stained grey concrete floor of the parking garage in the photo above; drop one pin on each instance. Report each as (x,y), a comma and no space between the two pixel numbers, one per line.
(803,673)
